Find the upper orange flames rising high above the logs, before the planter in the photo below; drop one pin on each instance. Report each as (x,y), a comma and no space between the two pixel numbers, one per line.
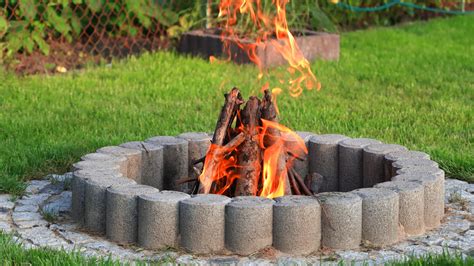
(269,29)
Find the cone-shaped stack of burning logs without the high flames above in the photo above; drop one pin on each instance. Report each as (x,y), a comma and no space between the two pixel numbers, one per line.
(250,157)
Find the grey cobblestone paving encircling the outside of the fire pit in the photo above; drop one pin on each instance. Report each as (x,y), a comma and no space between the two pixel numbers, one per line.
(455,234)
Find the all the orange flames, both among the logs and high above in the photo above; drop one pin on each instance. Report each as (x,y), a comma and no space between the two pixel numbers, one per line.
(221,168)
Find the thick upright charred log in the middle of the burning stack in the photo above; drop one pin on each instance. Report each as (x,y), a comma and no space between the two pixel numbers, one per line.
(249,157)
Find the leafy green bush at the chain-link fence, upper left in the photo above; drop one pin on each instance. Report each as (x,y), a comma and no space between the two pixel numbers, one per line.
(26,25)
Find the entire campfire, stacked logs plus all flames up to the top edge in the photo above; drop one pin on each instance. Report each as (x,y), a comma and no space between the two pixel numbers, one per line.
(251,153)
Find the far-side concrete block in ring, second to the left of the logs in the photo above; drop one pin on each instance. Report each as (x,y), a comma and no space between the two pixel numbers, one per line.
(175,161)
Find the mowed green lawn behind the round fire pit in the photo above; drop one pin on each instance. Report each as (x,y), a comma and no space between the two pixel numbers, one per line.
(412,85)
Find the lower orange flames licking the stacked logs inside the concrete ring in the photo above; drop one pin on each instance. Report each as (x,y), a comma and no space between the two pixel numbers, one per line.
(221,168)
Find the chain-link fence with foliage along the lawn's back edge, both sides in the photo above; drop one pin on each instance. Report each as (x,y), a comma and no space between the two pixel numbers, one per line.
(43,36)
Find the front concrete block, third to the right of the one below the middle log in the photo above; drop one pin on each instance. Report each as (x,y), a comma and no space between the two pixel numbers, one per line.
(379,215)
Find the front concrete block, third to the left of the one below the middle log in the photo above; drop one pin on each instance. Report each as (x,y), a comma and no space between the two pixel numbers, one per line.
(122,212)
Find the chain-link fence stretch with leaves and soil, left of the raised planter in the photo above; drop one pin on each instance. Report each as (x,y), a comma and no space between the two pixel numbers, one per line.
(71,32)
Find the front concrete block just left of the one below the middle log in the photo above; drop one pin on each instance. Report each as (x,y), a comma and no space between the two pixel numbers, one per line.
(202,223)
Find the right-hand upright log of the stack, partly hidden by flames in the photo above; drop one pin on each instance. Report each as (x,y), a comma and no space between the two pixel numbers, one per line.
(273,135)
